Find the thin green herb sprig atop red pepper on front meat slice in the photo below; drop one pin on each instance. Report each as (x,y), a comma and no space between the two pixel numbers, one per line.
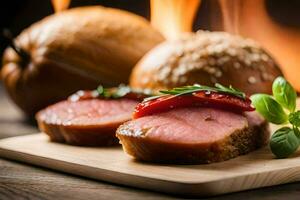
(178,91)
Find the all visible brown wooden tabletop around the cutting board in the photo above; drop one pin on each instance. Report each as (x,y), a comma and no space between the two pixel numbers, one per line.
(22,181)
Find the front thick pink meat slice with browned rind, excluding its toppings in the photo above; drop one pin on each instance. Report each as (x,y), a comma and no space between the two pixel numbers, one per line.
(193,135)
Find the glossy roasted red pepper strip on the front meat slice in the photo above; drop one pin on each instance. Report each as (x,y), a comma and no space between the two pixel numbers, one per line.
(201,99)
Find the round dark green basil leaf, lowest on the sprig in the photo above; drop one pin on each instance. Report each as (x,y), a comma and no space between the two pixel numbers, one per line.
(284,142)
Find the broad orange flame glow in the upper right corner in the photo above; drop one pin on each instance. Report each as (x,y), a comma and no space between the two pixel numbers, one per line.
(249,18)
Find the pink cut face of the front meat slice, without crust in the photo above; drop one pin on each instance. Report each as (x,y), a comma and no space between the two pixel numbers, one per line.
(189,125)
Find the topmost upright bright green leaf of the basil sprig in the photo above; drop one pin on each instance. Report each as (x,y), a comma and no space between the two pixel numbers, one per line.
(284,93)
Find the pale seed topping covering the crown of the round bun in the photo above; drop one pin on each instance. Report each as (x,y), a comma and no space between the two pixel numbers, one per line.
(208,52)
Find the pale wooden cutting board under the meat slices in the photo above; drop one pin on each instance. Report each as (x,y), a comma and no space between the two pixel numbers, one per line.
(255,170)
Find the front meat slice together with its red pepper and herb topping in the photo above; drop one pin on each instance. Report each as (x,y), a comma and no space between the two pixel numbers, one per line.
(194,124)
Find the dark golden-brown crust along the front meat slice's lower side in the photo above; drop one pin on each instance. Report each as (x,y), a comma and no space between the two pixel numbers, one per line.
(238,143)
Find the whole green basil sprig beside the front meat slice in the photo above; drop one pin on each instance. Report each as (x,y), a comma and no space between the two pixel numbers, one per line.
(280,109)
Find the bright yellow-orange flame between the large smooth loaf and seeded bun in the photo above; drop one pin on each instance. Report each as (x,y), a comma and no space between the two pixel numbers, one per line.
(173,17)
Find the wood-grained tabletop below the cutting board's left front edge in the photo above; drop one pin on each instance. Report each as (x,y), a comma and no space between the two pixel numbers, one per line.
(28,182)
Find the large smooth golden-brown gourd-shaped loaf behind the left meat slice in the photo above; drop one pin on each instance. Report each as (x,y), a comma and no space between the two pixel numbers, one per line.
(76,49)
